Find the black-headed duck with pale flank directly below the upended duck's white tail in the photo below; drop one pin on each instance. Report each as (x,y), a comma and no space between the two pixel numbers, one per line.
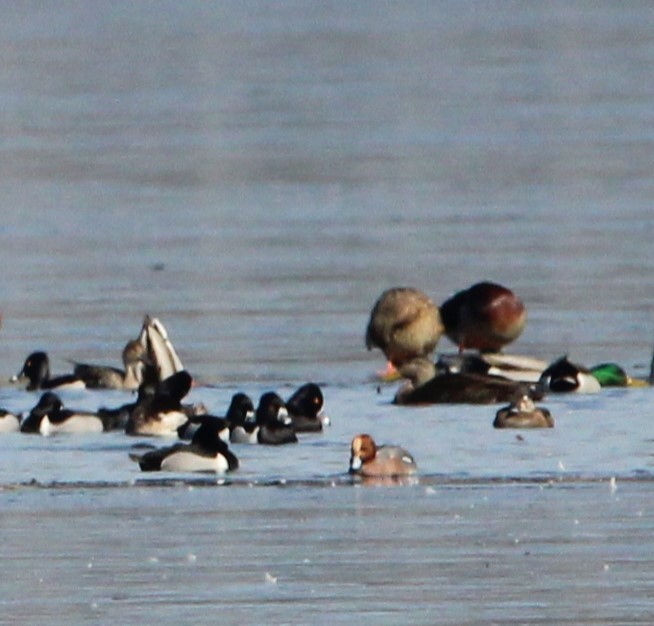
(159,411)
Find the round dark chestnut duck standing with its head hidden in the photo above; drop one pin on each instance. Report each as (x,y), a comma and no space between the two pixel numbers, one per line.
(484,317)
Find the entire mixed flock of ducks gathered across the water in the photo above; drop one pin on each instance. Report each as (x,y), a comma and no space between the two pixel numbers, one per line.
(404,324)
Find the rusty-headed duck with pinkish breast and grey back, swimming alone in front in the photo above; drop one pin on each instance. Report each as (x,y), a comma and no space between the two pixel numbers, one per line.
(368,459)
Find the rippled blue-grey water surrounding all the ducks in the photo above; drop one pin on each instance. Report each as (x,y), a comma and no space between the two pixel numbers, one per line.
(255,174)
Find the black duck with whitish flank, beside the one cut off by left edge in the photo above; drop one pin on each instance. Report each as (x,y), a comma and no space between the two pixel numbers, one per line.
(49,417)
